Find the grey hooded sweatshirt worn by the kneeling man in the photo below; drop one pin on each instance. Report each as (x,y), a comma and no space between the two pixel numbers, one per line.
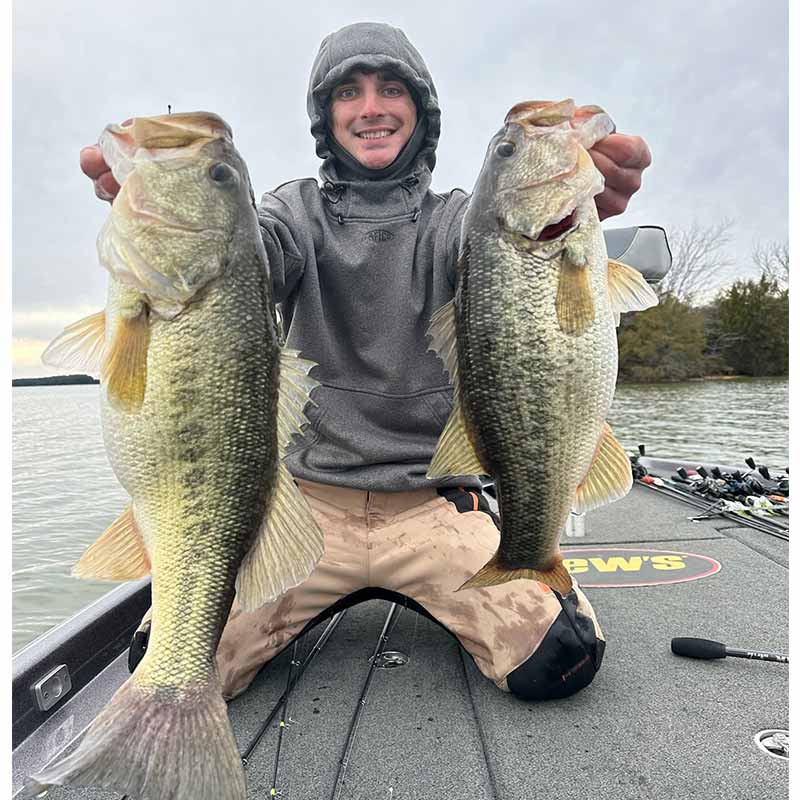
(359,265)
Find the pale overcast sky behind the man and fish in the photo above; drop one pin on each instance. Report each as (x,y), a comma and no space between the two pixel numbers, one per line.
(706,85)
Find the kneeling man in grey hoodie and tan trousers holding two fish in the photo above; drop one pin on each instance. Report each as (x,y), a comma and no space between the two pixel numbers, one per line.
(359,265)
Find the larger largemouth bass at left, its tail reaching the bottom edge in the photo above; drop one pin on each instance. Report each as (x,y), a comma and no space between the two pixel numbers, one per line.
(198,402)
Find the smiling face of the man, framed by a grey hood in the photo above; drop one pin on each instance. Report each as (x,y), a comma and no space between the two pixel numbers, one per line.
(372,116)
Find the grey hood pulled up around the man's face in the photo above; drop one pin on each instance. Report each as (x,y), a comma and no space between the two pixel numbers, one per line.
(372,46)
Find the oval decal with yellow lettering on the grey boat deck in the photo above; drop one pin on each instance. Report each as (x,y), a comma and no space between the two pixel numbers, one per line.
(623,566)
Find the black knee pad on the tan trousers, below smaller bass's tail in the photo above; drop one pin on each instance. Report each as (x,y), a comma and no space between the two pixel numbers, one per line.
(567,659)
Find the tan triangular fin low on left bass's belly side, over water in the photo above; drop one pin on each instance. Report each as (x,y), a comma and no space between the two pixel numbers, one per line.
(118,555)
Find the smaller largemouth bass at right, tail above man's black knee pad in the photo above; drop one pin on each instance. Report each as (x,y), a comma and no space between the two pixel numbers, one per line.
(530,340)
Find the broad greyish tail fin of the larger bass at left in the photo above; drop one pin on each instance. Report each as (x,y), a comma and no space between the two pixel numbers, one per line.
(174,745)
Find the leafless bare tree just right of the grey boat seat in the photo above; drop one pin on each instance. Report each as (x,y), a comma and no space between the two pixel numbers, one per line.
(699,261)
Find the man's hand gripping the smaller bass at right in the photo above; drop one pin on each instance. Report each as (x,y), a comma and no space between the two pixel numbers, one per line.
(622,160)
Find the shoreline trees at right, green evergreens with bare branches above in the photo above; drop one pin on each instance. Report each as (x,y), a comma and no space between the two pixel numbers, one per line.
(695,331)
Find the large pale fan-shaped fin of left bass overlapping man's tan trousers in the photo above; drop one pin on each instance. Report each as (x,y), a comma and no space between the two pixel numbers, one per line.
(286,549)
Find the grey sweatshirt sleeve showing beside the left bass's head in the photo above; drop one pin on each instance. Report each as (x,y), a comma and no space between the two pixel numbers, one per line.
(284,240)
